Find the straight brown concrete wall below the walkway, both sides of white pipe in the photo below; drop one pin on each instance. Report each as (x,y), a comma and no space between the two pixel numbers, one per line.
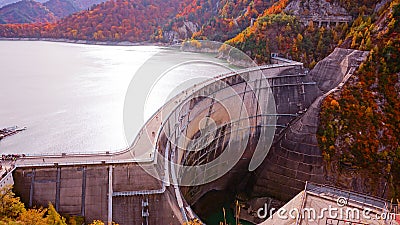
(84,191)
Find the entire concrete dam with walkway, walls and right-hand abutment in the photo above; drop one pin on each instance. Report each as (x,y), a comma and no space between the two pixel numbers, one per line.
(222,122)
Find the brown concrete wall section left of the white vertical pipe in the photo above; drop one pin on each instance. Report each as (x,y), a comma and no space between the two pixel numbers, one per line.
(76,190)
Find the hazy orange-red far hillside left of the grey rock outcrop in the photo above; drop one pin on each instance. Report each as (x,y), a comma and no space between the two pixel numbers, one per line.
(122,20)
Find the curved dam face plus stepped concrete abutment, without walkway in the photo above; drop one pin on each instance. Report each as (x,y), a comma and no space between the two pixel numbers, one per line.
(294,157)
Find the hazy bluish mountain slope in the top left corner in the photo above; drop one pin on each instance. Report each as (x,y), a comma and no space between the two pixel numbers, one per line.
(26,11)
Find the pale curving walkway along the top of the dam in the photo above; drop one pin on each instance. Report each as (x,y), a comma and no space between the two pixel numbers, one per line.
(142,150)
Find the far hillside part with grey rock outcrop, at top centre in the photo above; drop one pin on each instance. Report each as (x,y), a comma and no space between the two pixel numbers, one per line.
(215,20)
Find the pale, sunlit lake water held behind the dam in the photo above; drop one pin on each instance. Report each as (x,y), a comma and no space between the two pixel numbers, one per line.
(71,96)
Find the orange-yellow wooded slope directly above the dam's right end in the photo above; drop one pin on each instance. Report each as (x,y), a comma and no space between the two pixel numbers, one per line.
(288,35)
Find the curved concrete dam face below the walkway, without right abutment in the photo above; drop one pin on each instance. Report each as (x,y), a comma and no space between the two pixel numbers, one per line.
(221,129)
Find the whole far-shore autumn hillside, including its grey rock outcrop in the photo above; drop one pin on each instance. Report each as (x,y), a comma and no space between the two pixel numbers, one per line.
(167,21)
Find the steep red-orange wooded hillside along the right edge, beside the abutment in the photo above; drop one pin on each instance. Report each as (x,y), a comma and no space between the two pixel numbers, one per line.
(360,125)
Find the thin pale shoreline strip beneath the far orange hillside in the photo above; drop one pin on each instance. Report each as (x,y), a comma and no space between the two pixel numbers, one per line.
(86,42)
